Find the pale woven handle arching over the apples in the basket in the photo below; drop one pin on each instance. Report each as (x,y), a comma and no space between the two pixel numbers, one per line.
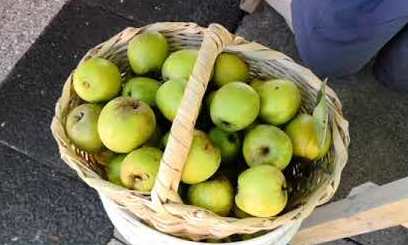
(165,188)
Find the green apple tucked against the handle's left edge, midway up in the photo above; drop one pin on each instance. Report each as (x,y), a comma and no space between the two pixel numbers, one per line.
(168,98)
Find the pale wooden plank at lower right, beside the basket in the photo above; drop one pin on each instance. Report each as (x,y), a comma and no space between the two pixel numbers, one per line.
(380,207)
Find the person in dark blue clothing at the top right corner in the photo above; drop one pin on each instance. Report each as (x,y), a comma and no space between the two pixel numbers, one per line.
(338,37)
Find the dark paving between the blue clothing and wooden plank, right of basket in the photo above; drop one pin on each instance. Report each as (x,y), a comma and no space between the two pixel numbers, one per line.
(378,130)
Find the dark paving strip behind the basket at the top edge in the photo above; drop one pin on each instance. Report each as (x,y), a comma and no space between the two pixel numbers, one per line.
(142,12)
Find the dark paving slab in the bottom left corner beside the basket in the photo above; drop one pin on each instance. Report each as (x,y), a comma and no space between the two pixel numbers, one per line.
(41,206)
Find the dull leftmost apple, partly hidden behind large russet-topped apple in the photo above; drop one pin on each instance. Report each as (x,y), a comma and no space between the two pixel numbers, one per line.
(81,127)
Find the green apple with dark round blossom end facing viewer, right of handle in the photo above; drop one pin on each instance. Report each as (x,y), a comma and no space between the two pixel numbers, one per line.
(267,144)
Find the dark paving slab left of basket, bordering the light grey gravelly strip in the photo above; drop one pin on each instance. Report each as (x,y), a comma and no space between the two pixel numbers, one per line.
(29,93)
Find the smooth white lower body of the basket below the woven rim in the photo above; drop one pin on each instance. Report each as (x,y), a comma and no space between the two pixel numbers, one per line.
(137,233)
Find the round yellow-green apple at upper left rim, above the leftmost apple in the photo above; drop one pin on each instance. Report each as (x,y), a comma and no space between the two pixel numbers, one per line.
(97,80)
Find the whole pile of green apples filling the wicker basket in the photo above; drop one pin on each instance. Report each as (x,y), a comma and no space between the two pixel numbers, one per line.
(246,135)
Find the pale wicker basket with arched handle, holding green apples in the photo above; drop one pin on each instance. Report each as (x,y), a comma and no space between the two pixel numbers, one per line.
(163,208)
